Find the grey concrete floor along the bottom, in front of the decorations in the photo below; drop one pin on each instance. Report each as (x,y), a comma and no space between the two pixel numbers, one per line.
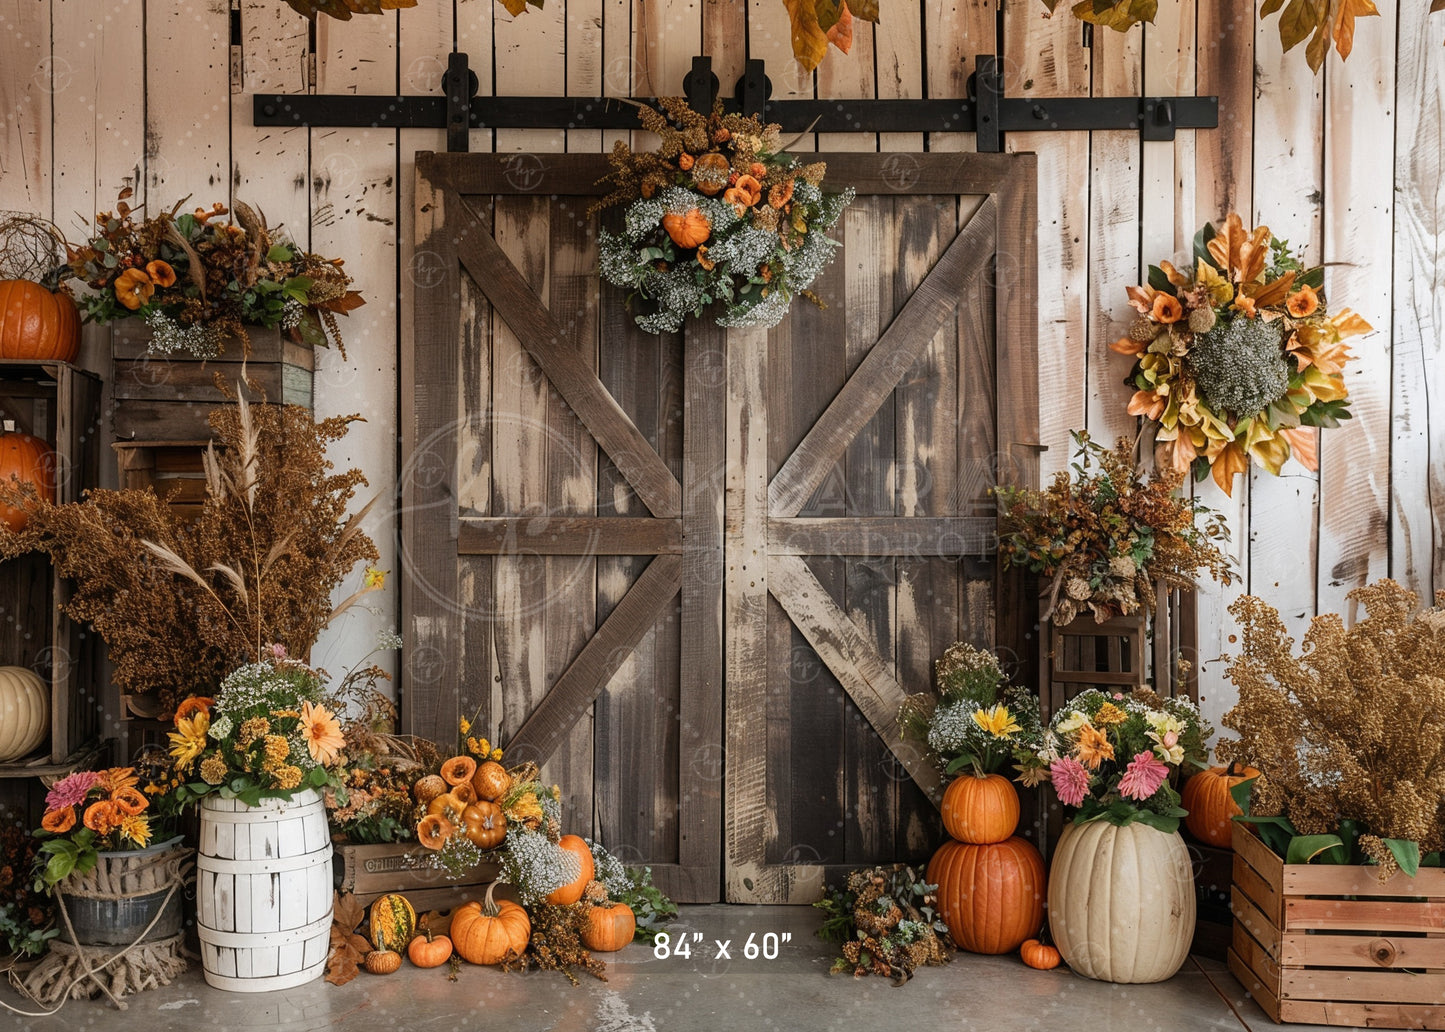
(791,994)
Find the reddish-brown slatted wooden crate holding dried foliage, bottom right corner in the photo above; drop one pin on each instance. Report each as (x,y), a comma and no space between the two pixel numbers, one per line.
(1334,946)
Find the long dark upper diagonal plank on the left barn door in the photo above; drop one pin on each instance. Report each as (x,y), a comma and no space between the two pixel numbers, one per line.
(550,345)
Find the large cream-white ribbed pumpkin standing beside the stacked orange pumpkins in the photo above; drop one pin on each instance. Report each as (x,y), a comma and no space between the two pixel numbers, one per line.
(1122,901)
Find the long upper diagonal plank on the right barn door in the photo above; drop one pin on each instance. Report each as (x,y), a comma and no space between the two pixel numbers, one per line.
(898,349)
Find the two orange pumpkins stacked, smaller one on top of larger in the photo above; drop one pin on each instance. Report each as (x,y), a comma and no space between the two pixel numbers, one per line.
(991,881)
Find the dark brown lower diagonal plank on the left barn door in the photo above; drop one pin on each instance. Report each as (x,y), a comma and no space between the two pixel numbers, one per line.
(587,676)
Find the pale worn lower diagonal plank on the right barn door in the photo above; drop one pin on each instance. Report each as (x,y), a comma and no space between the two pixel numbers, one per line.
(853,661)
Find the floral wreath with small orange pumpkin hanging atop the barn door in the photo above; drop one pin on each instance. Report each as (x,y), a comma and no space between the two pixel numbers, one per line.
(717,215)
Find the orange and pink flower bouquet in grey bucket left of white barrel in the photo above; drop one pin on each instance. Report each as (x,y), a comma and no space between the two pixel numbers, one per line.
(96,812)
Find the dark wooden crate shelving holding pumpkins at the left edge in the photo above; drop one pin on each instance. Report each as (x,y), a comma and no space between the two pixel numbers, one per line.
(60,404)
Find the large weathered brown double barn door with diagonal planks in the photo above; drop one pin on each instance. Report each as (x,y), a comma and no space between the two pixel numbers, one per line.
(694,576)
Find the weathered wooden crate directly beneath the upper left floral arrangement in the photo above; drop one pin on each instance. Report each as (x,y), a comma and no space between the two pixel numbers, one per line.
(160,398)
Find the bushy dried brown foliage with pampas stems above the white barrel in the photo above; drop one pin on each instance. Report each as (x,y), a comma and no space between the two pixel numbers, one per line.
(180,603)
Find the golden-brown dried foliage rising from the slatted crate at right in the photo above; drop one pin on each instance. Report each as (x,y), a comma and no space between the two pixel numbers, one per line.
(1355,726)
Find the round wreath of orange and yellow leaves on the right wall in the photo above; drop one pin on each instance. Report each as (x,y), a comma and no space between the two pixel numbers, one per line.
(1238,359)
